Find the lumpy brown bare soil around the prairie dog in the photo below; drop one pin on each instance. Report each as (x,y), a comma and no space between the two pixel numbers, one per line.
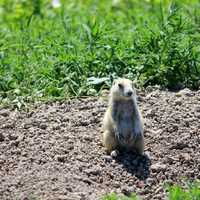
(54,151)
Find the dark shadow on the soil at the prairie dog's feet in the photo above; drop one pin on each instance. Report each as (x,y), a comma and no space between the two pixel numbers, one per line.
(134,164)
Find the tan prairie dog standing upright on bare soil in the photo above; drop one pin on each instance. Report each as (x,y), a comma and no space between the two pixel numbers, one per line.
(122,123)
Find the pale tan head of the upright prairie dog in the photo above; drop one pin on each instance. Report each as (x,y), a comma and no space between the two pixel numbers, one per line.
(122,89)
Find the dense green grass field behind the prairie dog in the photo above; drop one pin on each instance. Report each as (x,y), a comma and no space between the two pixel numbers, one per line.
(77,49)
